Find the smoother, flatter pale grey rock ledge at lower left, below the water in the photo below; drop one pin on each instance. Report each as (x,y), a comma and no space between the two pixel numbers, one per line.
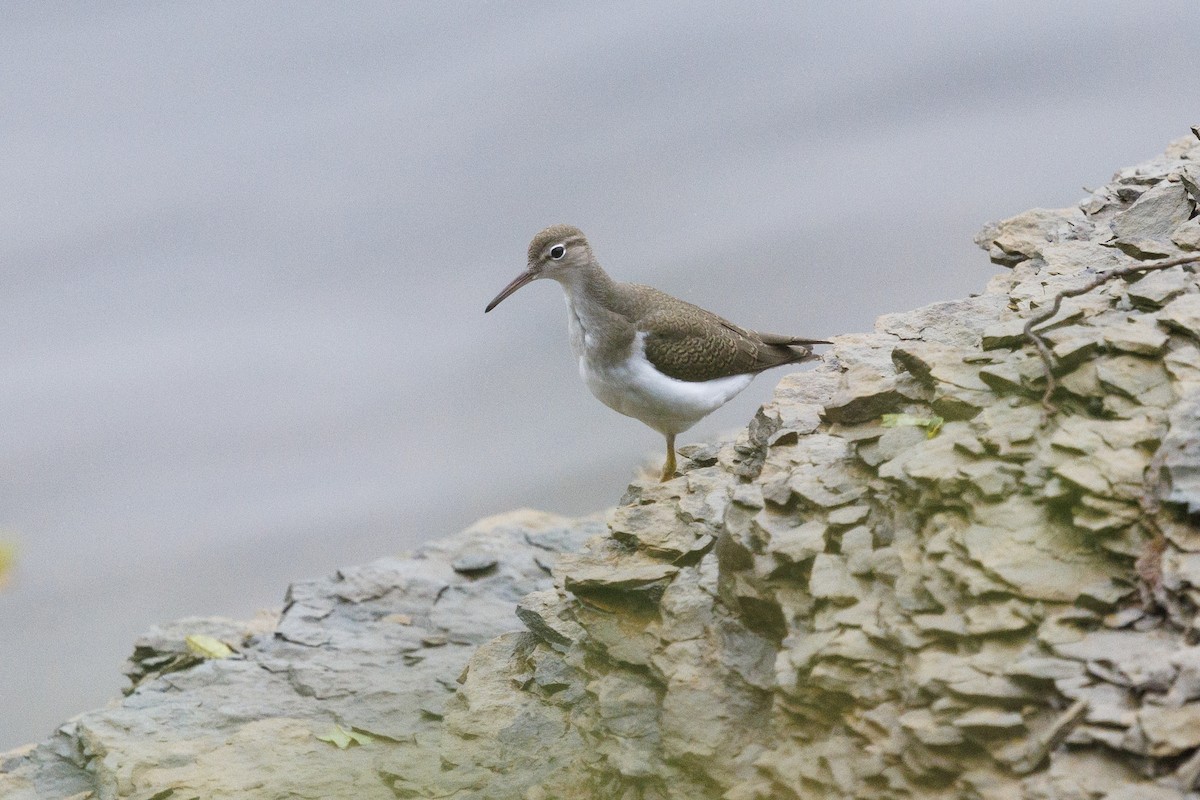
(363,651)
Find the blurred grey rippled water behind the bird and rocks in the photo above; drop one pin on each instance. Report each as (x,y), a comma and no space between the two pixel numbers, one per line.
(247,249)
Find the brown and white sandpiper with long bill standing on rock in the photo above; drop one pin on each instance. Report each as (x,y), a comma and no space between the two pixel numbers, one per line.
(645,353)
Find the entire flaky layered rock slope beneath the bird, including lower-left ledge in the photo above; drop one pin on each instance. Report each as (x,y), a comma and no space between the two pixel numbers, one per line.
(905,580)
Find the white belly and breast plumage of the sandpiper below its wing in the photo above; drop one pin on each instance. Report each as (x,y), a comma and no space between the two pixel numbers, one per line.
(668,405)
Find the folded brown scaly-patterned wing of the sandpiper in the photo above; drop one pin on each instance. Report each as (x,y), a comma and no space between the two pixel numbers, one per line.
(689,344)
